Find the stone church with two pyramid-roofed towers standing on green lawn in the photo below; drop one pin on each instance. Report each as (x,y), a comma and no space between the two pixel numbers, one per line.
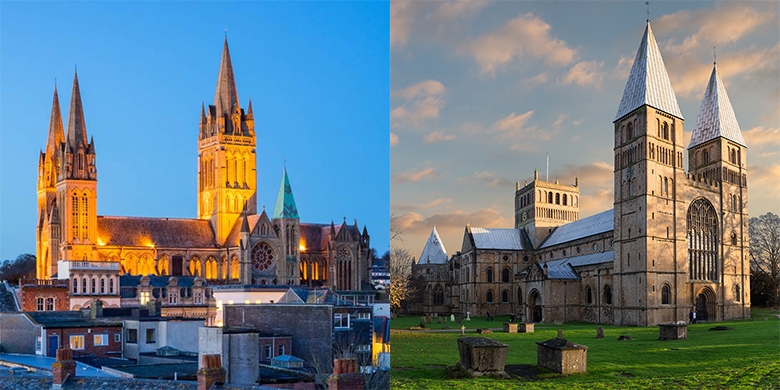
(675,241)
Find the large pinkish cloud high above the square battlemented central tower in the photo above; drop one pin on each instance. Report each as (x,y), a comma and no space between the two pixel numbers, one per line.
(524,38)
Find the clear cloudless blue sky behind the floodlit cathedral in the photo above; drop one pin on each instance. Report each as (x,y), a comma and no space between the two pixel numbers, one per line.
(317,74)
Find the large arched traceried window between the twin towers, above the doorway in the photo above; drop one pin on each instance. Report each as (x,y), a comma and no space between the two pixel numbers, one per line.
(702,235)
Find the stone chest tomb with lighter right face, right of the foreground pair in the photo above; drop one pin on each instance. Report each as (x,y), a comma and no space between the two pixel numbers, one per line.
(562,356)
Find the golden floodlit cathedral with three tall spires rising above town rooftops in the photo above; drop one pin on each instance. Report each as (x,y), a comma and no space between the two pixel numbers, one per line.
(229,242)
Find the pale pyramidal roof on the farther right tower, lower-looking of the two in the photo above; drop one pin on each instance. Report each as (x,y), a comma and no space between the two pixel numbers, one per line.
(716,115)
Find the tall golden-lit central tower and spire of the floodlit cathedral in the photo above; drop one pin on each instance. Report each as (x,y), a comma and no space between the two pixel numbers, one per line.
(227,176)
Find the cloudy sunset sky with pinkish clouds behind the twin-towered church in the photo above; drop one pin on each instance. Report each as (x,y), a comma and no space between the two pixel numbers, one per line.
(482,92)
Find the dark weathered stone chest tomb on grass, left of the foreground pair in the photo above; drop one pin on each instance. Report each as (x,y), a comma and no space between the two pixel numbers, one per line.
(482,356)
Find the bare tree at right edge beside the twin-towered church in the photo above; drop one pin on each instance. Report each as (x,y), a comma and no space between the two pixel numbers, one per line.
(765,249)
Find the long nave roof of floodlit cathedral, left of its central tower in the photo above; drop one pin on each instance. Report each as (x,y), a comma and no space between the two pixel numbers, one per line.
(160,232)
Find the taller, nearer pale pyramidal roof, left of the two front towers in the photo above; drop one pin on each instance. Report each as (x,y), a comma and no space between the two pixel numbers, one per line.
(648,83)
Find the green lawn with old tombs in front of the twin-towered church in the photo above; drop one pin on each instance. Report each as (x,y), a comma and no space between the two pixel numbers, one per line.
(747,356)
